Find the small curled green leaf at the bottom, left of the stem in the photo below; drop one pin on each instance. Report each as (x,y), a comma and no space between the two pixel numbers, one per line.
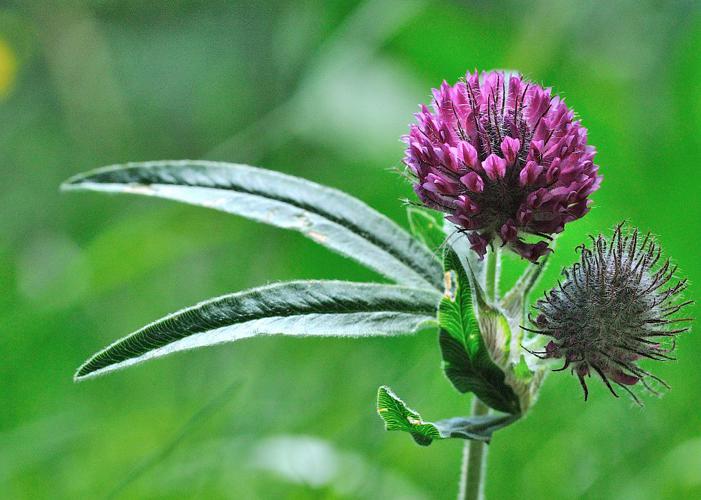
(399,417)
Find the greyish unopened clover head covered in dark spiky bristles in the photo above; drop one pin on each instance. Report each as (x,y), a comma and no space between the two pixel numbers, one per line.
(618,305)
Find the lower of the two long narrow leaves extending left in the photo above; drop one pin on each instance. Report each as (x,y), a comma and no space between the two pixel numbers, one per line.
(320,308)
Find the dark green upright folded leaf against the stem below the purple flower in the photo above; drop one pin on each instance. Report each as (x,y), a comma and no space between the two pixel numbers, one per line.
(467,360)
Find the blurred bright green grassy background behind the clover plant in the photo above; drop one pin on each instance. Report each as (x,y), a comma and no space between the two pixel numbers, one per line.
(323,90)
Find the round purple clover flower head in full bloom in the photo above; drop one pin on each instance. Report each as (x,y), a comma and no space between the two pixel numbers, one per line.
(504,158)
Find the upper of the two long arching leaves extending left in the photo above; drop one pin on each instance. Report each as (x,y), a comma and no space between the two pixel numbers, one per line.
(328,216)
